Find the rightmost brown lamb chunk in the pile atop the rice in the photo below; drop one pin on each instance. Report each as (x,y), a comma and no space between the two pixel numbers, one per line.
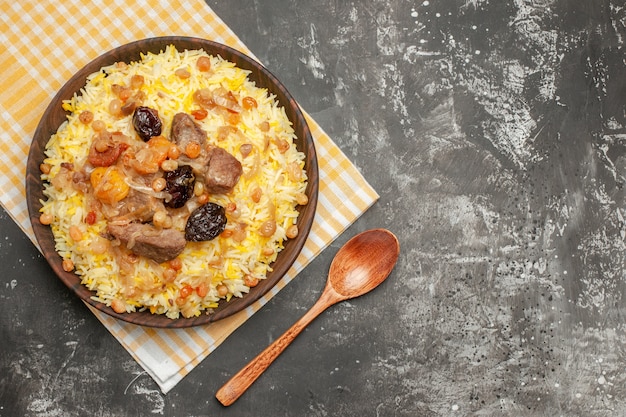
(223,171)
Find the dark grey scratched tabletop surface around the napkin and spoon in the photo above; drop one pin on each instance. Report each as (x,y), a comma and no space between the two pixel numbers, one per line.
(495,133)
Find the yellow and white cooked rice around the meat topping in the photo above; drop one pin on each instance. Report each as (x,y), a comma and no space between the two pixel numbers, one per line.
(221,261)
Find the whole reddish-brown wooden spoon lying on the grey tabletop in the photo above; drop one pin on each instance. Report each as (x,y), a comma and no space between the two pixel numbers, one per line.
(359,266)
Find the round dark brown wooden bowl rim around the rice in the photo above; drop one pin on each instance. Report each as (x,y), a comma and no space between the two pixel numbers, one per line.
(55,115)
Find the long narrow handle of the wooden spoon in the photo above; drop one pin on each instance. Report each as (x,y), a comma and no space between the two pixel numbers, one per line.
(243,379)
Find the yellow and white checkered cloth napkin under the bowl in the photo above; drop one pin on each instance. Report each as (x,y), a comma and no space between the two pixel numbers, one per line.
(44,44)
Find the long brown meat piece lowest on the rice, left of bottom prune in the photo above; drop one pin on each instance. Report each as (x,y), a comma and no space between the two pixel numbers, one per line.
(160,245)
